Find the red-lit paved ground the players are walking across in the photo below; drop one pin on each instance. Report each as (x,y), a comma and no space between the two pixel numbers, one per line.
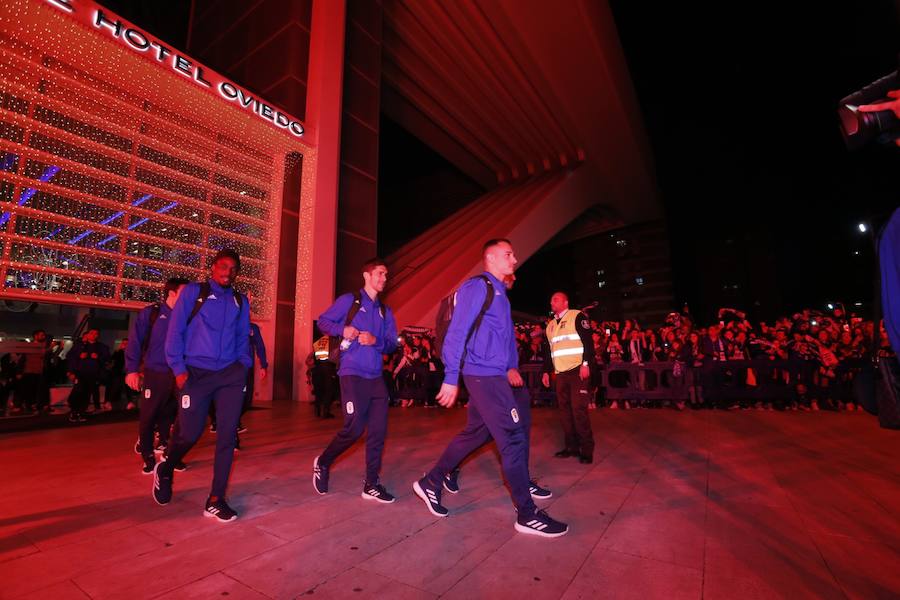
(676,505)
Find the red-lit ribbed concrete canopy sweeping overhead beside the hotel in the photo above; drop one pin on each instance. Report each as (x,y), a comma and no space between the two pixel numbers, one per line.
(509,91)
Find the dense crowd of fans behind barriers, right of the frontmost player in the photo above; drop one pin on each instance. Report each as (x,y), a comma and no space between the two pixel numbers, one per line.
(818,356)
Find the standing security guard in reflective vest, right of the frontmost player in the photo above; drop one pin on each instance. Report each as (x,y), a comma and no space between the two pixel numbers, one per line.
(570,354)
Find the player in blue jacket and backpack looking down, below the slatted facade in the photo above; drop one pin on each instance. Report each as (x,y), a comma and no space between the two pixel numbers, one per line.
(207,350)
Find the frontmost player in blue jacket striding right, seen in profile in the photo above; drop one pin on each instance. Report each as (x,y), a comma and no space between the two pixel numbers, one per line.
(480,344)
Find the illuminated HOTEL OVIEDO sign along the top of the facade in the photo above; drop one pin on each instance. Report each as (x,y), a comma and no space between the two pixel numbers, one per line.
(139,41)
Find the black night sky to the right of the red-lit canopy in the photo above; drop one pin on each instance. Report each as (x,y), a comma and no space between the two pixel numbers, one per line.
(739,102)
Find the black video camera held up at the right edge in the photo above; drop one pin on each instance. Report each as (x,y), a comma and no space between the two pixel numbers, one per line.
(859,128)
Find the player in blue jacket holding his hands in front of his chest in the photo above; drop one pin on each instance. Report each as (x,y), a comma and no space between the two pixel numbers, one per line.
(368,330)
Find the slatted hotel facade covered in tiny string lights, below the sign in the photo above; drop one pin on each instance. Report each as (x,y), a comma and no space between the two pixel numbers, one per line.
(106,191)
